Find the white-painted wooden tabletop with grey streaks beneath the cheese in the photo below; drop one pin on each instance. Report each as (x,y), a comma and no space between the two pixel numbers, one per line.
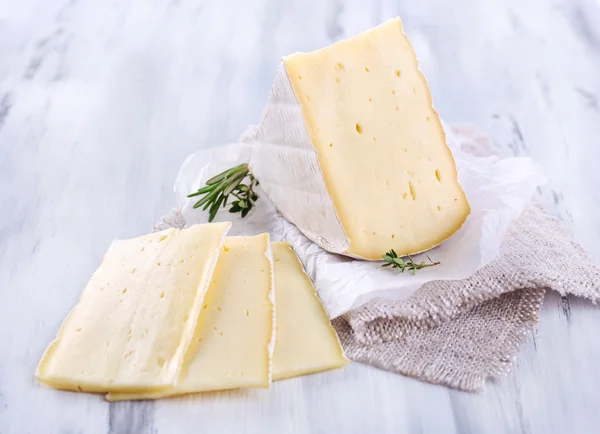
(101,101)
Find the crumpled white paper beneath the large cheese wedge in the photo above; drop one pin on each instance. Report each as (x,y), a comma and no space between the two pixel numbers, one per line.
(498,190)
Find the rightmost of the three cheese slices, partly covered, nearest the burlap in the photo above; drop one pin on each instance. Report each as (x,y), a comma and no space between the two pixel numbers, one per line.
(306,342)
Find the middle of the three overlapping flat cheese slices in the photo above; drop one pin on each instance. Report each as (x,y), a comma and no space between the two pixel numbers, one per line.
(234,339)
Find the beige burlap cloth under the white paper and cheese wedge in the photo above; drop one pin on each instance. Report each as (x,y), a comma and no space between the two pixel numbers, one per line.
(459,333)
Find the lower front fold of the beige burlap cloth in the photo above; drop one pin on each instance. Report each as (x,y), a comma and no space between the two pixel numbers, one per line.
(461,353)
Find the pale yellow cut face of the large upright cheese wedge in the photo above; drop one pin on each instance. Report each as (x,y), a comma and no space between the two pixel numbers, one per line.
(380,143)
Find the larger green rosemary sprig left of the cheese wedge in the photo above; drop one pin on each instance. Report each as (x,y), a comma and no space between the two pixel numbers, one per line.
(217,190)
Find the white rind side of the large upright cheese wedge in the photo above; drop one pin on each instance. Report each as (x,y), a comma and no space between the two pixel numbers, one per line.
(286,163)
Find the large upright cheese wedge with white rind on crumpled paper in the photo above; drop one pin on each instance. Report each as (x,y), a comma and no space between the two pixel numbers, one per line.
(351,150)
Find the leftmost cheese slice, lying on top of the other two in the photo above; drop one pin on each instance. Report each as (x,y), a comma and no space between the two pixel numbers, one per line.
(135,320)
